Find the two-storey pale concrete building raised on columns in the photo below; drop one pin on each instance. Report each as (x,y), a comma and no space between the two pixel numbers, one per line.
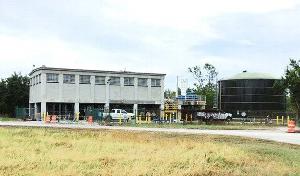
(62,91)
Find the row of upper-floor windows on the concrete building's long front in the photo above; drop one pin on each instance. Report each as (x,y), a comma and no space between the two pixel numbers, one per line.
(100,80)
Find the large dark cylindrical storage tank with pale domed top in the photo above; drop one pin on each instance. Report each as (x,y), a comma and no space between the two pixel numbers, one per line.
(249,93)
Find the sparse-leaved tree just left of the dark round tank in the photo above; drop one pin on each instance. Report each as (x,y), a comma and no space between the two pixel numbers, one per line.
(206,82)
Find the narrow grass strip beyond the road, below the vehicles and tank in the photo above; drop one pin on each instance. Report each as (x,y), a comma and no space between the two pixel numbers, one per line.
(230,126)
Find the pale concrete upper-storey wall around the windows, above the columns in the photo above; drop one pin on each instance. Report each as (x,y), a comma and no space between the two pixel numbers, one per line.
(91,93)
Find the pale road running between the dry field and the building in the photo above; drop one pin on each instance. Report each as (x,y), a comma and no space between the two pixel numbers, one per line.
(278,135)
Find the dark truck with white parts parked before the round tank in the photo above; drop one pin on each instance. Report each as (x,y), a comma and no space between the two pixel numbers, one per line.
(213,115)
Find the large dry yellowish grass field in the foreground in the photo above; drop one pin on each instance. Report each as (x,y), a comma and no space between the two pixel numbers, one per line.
(45,151)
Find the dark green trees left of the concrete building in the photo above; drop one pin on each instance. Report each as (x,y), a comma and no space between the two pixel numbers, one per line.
(14,91)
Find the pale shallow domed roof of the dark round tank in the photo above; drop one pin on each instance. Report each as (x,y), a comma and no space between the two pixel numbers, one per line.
(249,75)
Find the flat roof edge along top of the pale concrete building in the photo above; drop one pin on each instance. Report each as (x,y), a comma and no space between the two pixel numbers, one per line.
(94,71)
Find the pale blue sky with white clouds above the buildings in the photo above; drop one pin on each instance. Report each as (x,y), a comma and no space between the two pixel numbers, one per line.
(160,36)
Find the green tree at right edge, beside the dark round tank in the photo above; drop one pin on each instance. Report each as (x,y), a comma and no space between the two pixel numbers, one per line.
(290,83)
